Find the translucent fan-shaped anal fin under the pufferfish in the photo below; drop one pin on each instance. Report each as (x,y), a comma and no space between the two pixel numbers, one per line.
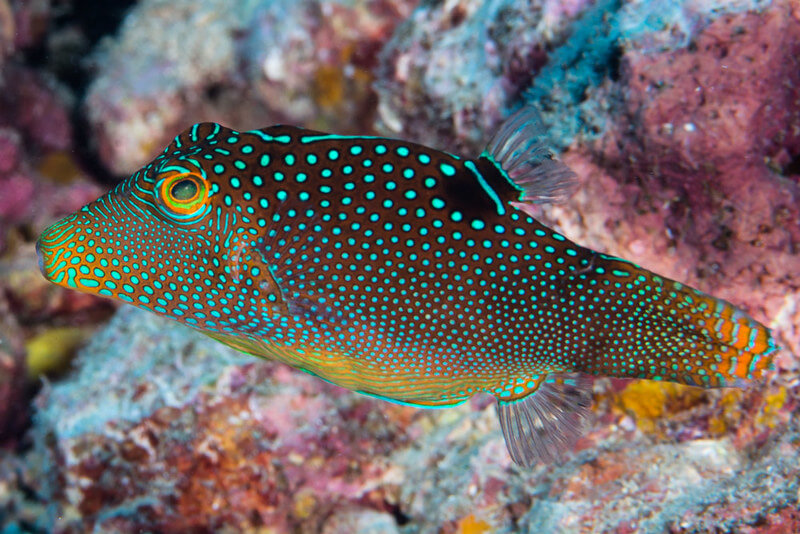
(540,426)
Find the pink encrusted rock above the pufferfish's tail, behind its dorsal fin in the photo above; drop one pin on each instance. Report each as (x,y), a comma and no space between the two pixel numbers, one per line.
(706,133)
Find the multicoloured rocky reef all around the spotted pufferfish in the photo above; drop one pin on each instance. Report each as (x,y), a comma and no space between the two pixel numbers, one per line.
(682,120)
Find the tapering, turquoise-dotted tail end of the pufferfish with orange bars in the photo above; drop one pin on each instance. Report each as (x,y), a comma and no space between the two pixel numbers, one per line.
(667,330)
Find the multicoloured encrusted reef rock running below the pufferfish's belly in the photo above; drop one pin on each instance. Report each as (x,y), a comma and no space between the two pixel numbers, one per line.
(185,434)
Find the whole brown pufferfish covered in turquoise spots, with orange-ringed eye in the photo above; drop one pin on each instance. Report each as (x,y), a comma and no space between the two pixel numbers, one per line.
(398,271)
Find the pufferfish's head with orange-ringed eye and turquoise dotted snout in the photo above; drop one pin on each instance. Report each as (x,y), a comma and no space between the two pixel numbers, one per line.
(162,238)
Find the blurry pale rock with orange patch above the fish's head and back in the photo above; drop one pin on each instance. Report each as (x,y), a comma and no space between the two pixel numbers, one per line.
(306,63)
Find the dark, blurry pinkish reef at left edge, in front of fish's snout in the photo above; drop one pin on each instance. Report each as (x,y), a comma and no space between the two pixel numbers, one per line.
(41,179)
